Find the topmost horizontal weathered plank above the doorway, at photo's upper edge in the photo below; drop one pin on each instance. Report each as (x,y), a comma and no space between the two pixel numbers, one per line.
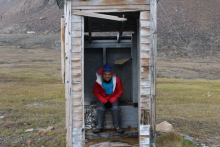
(109,2)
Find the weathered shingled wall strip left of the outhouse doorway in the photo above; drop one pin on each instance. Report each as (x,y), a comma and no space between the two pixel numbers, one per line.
(77,67)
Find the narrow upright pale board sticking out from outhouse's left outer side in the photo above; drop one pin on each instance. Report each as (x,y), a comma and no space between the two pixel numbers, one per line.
(63,49)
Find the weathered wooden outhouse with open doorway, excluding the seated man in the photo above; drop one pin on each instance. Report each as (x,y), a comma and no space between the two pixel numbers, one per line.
(122,33)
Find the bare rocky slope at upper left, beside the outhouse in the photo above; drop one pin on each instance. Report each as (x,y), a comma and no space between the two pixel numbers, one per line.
(20,16)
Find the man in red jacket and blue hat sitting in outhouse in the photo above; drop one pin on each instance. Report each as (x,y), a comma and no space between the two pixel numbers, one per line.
(108,88)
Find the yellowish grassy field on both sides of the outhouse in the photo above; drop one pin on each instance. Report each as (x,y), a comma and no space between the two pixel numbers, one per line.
(32,96)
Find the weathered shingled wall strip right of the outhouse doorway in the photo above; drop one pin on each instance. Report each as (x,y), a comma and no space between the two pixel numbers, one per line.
(144,79)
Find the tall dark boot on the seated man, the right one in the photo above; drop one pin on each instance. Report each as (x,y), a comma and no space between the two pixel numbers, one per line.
(116,116)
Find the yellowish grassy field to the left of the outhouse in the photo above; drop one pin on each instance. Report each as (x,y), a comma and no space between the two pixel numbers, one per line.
(32,96)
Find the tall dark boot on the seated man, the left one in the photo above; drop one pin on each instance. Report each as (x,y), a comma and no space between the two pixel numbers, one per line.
(100,115)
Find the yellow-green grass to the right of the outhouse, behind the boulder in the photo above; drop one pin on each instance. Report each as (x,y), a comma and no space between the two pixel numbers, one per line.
(187,106)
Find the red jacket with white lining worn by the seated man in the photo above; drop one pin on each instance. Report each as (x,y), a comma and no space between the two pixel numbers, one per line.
(99,91)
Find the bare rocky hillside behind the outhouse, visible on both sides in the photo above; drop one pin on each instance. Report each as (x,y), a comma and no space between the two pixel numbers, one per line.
(197,23)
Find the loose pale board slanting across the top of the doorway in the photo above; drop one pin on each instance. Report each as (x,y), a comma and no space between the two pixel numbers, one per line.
(96,15)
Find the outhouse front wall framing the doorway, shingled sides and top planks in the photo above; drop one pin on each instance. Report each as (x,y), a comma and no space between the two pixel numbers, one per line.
(74,66)
